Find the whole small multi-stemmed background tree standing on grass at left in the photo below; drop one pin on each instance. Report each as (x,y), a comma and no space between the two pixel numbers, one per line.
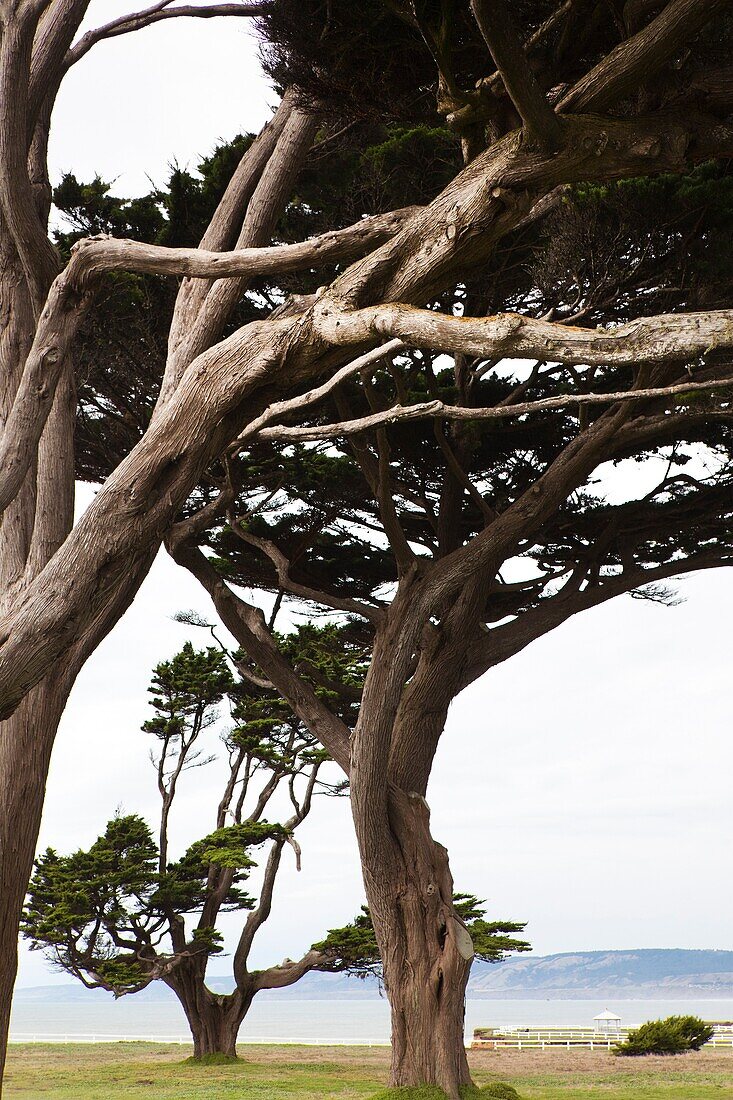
(123,914)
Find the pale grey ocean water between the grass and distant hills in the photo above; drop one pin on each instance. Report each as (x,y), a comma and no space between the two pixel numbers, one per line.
(358,1020)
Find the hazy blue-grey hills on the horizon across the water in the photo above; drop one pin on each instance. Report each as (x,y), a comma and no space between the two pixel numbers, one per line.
(632,974)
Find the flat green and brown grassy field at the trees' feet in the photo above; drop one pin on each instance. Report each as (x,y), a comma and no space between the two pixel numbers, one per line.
(158,1072)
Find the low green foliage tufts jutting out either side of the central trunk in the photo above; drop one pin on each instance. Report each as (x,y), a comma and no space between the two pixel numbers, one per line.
(354,948)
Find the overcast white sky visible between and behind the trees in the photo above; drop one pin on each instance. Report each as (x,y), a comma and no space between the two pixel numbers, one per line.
(585,787)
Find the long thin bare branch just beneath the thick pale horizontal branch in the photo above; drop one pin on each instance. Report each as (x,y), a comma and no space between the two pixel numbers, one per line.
(436,409)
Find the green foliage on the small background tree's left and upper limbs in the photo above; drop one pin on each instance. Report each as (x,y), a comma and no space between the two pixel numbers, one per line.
(102,914)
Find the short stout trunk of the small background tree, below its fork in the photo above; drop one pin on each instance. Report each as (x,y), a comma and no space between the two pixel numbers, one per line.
(214,1019)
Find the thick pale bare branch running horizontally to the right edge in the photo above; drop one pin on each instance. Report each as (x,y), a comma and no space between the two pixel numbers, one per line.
(663,339)
